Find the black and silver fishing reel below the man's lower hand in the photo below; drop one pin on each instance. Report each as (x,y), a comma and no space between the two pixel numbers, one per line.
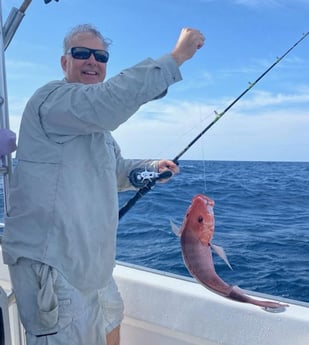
(143,177)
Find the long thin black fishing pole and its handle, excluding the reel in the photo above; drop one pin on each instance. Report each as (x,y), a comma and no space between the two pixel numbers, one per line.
(151,182)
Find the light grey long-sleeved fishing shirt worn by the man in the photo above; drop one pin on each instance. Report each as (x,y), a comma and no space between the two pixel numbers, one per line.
(63,200)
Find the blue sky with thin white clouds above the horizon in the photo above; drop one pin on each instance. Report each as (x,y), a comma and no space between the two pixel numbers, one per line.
(243,38)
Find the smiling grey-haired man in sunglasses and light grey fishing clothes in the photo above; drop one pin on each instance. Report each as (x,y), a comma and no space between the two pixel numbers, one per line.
(59,240)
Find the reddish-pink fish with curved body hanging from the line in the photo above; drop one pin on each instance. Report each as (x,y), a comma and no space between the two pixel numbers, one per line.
(195,235)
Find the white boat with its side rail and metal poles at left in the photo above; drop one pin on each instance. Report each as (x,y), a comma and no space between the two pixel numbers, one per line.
(164,308)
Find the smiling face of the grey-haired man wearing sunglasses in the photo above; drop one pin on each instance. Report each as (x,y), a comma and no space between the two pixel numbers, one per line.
(87,71)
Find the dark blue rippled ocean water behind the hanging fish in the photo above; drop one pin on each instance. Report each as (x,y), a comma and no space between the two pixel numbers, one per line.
(262,222)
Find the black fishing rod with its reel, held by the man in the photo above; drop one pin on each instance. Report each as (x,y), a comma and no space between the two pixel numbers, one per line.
(140,178)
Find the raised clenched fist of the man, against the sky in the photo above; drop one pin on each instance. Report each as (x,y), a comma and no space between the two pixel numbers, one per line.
(188,42)
